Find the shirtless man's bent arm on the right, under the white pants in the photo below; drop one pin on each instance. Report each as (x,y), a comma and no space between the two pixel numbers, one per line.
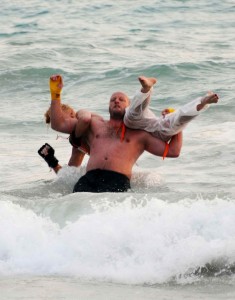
(157,147)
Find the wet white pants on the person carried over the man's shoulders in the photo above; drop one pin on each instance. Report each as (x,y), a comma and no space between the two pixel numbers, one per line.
(139,116)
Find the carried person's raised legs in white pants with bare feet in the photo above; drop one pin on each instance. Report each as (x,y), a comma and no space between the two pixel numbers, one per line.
(139,116)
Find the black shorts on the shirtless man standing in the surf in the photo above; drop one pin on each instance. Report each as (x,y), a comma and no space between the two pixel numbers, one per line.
(100,181)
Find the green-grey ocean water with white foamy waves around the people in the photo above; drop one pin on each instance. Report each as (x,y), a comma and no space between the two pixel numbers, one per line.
(173,235)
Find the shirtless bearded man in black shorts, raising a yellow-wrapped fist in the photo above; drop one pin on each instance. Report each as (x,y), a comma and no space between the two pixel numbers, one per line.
(114,149)
